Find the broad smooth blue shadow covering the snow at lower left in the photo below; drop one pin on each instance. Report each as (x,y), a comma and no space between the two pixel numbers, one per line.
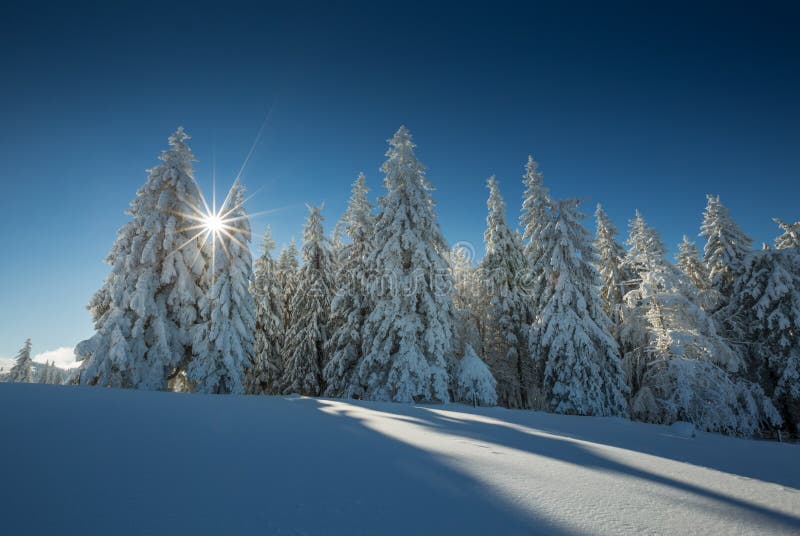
(156,463)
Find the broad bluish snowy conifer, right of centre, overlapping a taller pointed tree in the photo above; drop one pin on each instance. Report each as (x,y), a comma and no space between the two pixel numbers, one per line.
(582,373)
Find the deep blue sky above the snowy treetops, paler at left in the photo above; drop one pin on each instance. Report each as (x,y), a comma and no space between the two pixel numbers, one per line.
(633,106)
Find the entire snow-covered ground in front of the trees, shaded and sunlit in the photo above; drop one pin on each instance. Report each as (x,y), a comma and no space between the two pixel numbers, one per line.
(101,461)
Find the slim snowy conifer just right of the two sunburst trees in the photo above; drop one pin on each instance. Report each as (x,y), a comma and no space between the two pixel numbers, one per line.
(269,320)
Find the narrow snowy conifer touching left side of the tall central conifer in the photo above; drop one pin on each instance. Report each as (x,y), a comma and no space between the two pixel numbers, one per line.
(349,307)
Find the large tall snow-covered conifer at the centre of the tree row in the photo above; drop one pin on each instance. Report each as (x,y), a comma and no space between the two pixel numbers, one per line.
(408,333)
